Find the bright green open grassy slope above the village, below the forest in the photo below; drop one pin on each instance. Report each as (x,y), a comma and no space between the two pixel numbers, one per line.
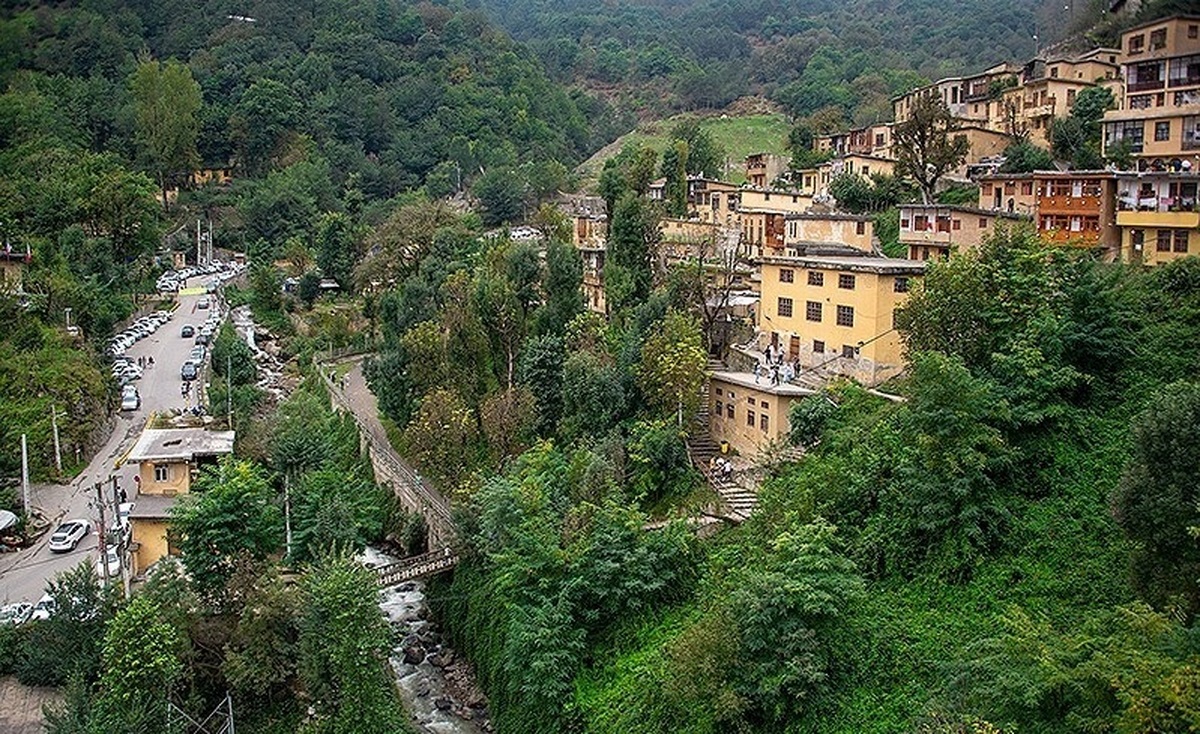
(737,135)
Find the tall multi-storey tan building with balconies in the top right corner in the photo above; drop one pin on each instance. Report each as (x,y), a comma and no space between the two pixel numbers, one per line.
(1159,121)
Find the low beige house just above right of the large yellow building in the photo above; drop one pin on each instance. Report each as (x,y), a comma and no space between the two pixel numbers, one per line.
(935,231)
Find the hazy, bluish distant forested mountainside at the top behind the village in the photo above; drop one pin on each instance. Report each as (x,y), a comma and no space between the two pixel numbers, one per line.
(675,55)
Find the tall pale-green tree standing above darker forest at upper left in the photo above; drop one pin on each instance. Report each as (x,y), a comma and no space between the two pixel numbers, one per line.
(167,106)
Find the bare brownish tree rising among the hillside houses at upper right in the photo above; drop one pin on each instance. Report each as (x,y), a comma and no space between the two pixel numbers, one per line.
(927,146)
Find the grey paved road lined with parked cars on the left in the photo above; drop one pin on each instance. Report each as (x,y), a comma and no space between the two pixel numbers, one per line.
(23,575)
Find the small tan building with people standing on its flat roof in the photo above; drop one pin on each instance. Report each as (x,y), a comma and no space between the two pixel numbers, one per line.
(751,417)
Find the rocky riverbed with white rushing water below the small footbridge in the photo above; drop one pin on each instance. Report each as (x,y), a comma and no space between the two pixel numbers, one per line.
(437,685)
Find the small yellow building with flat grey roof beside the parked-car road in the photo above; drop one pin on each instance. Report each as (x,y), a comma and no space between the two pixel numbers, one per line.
(167,460)
